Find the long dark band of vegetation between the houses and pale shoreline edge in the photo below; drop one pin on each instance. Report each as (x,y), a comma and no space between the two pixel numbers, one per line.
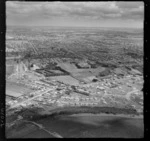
(34,115)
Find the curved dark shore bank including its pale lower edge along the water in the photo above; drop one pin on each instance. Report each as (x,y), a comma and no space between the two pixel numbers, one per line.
(123,112)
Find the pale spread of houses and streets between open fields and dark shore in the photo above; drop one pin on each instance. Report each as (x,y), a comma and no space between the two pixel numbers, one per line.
(112,91)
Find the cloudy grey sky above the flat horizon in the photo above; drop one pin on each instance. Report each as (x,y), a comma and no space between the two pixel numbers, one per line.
(76,14)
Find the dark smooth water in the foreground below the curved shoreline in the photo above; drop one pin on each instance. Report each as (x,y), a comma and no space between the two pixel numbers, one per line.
(90,126)
